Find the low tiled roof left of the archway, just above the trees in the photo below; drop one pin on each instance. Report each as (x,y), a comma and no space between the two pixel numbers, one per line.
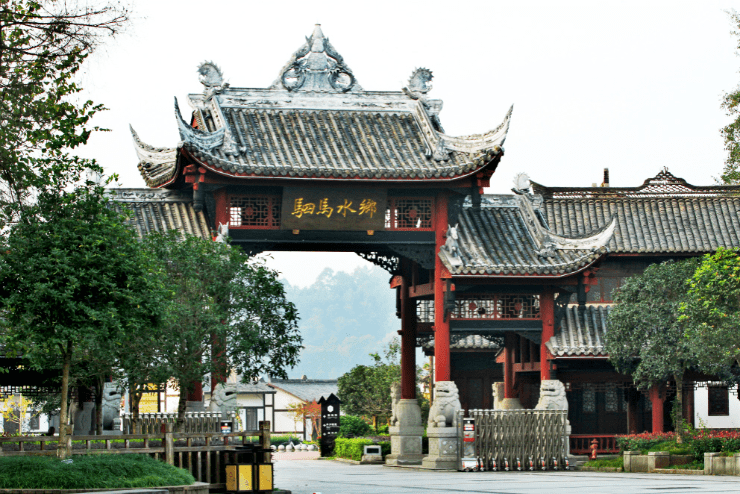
(159,210)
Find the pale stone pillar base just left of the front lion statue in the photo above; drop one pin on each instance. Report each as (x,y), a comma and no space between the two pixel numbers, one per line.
(405,430)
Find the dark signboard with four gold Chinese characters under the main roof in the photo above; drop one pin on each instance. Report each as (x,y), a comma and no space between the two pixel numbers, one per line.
(333,209)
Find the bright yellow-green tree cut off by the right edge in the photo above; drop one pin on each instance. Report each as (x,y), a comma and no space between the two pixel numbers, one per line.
(712,312)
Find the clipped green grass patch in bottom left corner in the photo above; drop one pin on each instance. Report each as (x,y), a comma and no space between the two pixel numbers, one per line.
(89,472)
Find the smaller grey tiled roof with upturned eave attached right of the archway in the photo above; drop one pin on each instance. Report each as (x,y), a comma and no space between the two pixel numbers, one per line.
(506,237)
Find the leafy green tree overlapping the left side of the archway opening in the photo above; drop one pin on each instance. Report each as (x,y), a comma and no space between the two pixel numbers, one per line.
(225,313)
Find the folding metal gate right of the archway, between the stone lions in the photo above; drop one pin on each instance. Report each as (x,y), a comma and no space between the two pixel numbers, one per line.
(512,440)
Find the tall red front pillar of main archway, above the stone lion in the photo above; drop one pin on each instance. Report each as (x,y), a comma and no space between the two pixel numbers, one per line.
(441,326)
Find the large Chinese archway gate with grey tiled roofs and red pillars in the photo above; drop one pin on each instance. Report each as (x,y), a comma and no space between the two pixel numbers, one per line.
(316,163)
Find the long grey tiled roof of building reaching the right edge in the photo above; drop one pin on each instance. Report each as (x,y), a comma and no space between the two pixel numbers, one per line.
(663,222)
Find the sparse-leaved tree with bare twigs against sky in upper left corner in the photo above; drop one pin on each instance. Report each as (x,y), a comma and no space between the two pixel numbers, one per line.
(42,46)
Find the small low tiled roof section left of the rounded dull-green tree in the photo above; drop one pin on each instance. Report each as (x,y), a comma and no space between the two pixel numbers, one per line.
(579,335)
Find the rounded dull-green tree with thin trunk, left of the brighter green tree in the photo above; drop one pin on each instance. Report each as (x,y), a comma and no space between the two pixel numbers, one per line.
(645,337)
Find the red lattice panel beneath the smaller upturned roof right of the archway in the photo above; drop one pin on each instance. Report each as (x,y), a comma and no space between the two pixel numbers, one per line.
(497,306)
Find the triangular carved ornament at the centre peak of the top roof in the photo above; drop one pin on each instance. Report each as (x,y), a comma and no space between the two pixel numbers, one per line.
(317,66)
